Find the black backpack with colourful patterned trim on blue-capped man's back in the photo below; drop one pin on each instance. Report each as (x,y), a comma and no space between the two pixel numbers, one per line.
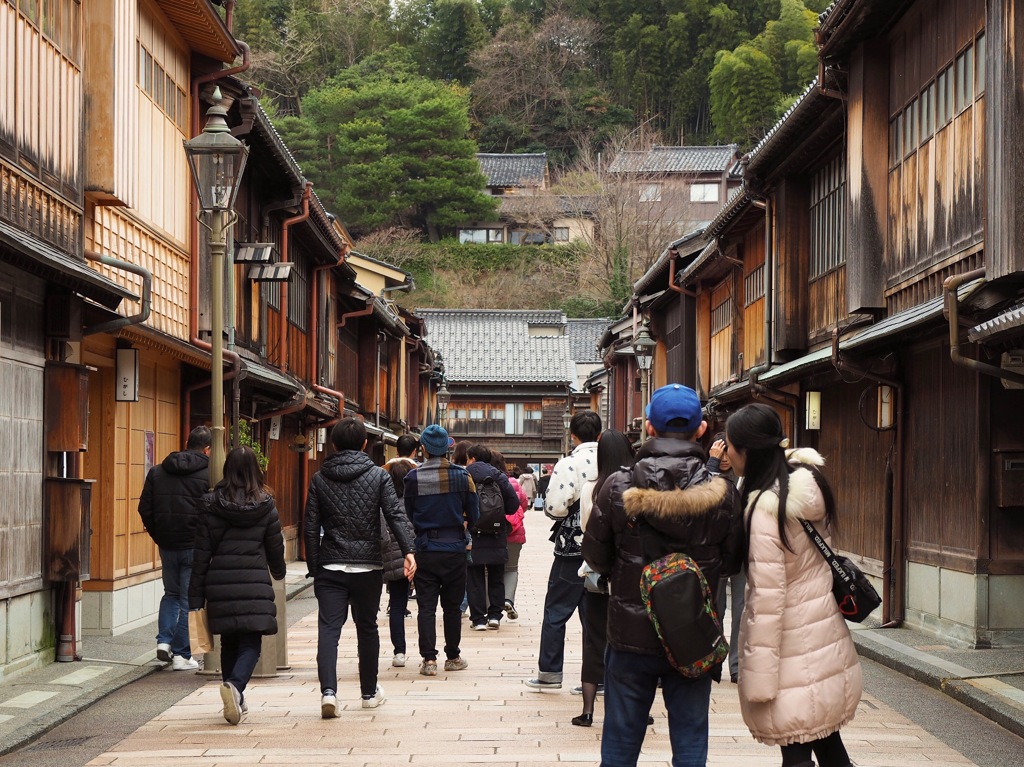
(679,605)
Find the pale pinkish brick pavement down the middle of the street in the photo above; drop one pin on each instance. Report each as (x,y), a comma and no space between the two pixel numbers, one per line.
(485,715)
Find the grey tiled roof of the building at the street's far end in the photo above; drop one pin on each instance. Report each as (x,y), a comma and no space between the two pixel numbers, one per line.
(495,347)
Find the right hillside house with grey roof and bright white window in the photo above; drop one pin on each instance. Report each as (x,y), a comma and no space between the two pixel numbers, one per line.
(688,185)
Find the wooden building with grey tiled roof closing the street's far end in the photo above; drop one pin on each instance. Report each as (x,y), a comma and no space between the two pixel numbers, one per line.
(511,376)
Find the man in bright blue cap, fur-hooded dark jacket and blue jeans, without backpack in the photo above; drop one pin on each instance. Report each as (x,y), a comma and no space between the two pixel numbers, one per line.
(667,503)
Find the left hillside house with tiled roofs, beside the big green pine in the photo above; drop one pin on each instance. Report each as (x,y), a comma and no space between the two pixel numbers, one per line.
(529,214)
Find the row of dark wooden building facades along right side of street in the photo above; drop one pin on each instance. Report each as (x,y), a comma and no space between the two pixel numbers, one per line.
(867,282)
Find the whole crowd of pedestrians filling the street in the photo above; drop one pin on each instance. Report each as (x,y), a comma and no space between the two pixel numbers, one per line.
(448,533)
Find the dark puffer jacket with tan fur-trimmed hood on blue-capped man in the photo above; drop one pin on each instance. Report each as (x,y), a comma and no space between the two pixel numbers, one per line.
(686,509)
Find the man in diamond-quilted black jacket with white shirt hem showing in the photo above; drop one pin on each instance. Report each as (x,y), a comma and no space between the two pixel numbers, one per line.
(347,500)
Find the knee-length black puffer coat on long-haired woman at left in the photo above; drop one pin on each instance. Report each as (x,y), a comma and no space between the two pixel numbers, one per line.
(236,544)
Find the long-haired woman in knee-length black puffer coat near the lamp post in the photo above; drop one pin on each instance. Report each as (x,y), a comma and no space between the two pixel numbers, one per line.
(238,542)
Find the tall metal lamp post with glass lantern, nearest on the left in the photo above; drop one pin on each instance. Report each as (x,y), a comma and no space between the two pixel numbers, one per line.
(218,160)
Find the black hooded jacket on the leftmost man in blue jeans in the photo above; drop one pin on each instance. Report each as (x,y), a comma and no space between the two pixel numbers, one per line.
(170,496)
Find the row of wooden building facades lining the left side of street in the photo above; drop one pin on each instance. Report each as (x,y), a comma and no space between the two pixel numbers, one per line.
(105,331)
